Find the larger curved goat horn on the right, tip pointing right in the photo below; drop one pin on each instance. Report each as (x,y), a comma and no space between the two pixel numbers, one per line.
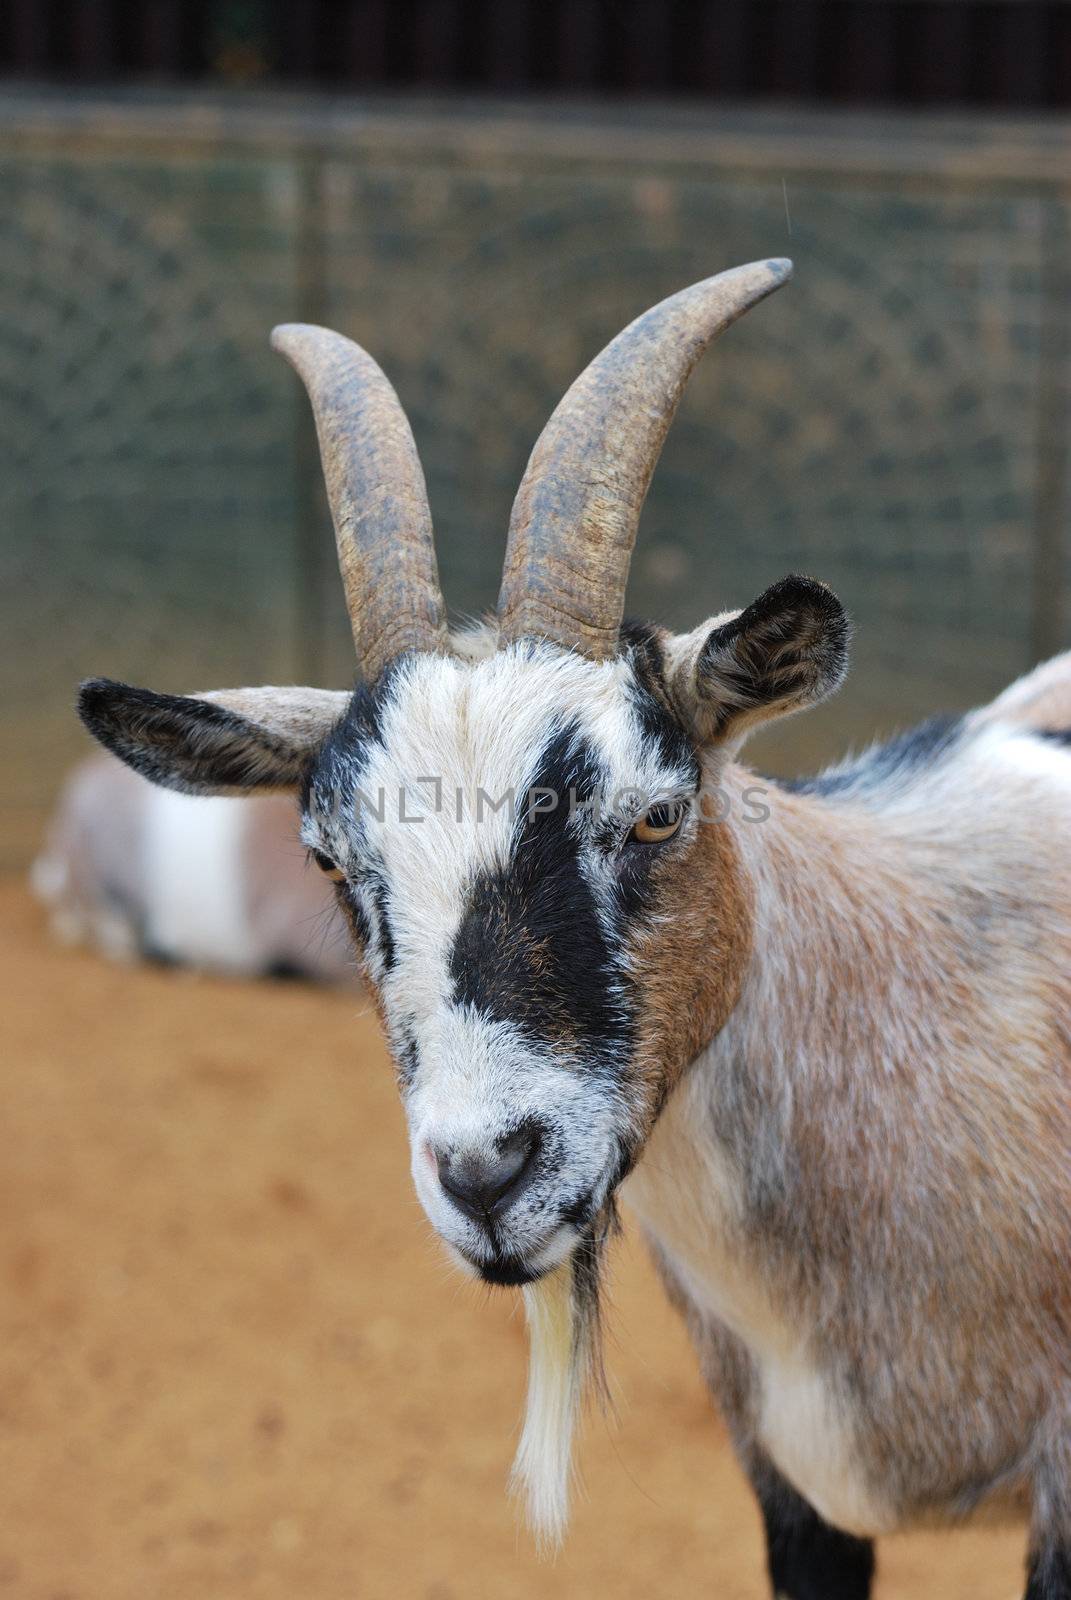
(579,506)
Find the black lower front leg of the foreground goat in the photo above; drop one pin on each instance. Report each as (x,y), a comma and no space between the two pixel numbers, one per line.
(808,1559)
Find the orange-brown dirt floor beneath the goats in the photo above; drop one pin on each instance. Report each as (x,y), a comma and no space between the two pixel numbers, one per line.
(235,1364)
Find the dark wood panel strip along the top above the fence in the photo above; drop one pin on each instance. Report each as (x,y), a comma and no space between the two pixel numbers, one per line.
(1003,54)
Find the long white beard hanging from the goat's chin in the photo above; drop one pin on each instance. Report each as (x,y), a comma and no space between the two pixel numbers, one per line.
(564,1313)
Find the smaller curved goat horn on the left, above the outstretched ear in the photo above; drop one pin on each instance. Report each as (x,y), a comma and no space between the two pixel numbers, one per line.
(377,494)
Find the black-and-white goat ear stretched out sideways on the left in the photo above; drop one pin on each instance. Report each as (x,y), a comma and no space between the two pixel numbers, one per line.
(227,743)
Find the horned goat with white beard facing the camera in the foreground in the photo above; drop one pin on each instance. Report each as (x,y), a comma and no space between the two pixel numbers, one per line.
(820,1042)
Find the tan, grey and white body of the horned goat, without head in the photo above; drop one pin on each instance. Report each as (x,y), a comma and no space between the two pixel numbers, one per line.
(862,1191)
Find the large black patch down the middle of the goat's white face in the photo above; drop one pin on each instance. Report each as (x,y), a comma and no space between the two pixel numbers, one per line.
(531,948)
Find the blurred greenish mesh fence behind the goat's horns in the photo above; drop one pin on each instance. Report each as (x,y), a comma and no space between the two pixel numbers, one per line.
(896,422)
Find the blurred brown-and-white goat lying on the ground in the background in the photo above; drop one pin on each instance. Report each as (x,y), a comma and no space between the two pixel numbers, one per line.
(142,873)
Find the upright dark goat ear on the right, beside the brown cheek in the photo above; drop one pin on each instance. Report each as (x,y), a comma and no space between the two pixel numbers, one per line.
(787,650)
